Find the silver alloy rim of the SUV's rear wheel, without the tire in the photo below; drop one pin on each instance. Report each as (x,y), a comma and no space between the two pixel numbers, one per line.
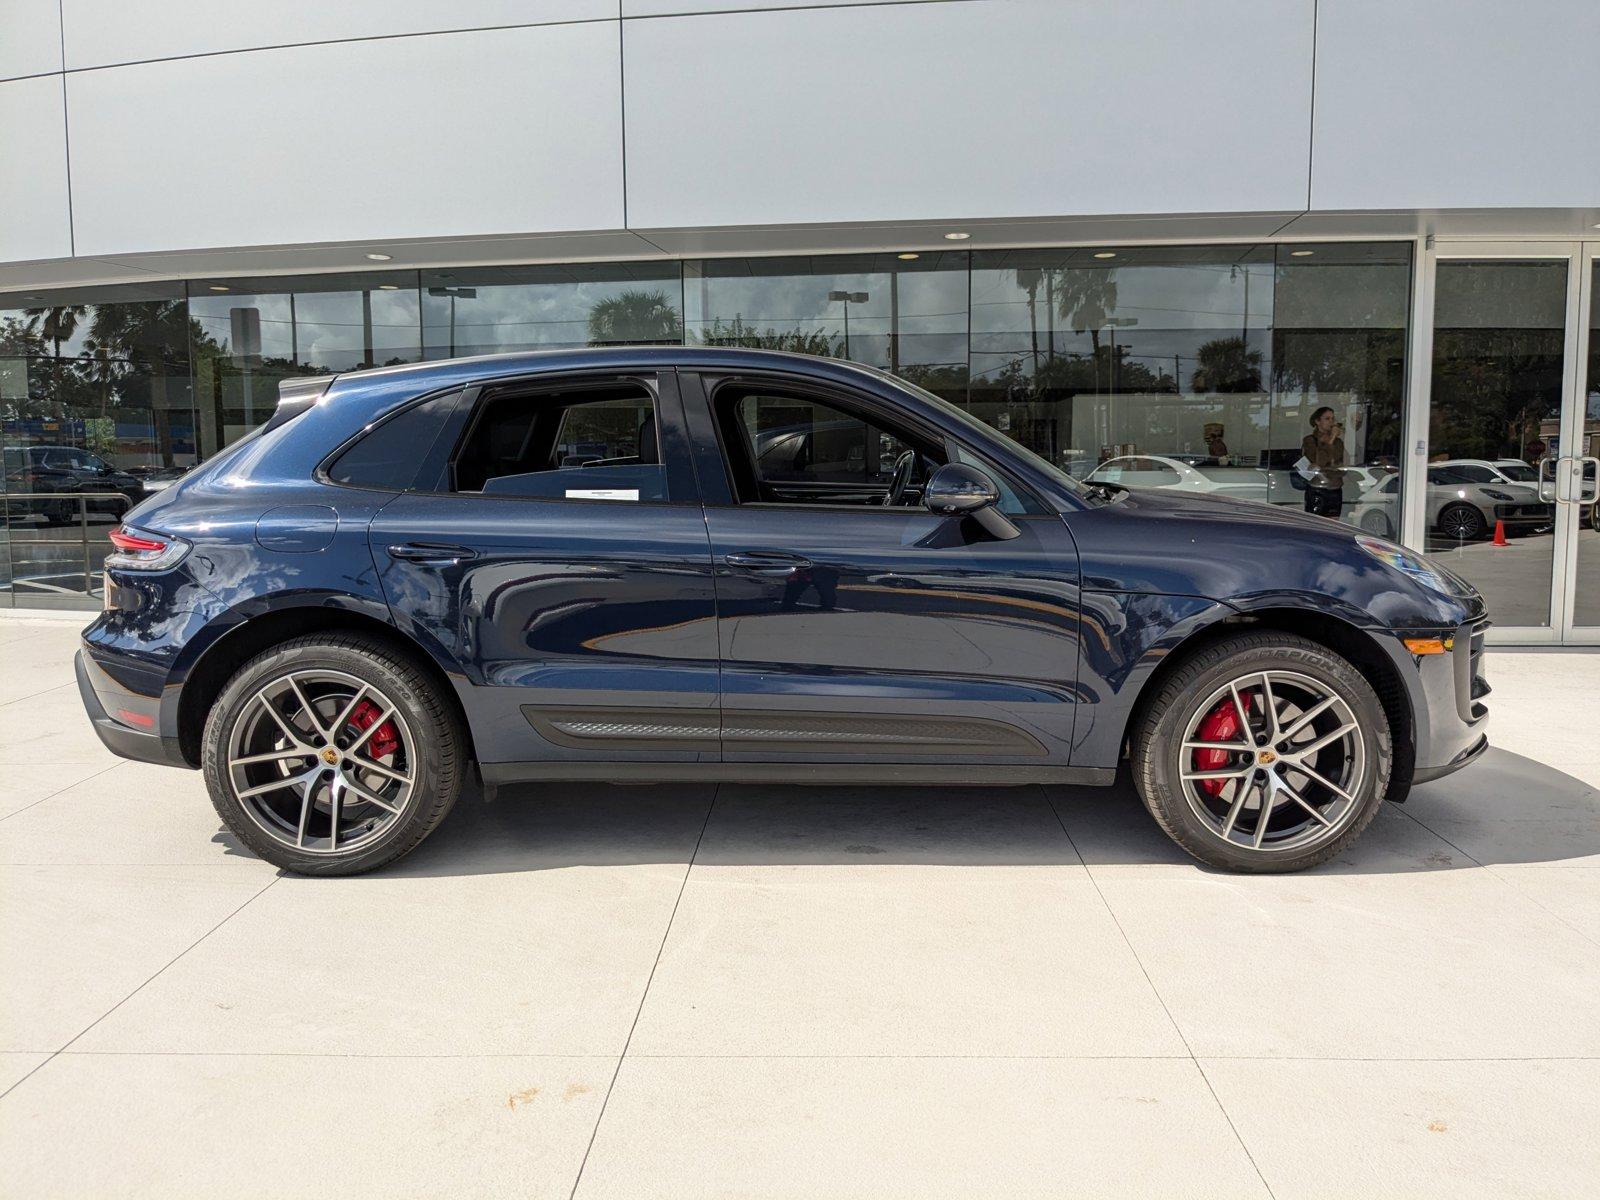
(302,764)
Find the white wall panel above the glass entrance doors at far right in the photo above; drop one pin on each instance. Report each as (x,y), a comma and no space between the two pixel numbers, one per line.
(1457,103)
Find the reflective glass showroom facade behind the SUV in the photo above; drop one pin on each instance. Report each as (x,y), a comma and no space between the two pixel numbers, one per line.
(1198,369)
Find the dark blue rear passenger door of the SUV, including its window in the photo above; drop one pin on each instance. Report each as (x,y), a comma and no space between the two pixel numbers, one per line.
(559,556)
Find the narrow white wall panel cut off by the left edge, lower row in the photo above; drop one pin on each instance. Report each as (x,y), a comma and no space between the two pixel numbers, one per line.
(34,174)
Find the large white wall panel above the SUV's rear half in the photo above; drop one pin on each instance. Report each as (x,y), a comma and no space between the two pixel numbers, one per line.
(430,137)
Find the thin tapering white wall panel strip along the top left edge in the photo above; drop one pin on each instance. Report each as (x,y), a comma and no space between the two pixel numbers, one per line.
(130,31)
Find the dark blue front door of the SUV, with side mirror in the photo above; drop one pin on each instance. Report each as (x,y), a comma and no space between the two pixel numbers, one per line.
(860,633)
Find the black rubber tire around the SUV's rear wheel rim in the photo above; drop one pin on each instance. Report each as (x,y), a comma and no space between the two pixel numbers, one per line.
(436,745)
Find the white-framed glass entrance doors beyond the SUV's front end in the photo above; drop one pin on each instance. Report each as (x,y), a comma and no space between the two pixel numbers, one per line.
(1514,423)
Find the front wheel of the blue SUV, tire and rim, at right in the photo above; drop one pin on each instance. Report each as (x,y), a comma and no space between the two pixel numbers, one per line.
(1265,753)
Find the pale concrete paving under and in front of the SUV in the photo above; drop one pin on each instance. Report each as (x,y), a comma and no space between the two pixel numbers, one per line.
(833,993)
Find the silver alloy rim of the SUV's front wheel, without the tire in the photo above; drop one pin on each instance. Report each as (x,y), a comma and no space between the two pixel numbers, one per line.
(1294,769)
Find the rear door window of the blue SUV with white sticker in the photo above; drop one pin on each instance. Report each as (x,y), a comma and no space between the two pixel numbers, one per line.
(596,442)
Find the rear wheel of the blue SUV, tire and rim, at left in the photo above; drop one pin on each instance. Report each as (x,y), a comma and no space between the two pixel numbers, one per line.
(332,756)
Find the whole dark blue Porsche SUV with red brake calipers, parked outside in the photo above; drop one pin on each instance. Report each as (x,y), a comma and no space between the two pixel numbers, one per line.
(678,564)
